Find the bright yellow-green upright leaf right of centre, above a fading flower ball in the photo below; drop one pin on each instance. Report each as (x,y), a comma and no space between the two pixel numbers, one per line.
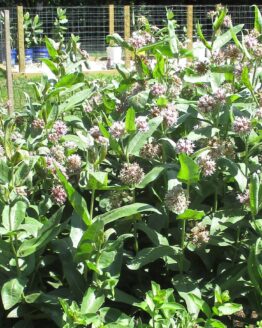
(189,170)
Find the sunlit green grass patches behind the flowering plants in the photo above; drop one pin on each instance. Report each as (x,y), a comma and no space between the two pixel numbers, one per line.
(22,86)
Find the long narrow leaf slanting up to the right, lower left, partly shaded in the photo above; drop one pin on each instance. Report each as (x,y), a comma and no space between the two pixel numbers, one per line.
(48,232)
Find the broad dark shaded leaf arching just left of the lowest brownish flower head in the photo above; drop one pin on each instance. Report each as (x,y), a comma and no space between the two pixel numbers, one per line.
(151,254)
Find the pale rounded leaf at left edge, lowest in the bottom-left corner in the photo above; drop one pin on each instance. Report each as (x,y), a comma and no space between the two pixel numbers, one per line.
(12,292)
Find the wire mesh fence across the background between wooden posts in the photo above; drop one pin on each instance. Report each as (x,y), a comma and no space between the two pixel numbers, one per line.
(91,23)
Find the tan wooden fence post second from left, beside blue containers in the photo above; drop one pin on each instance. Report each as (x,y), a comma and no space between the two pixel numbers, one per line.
(21,39)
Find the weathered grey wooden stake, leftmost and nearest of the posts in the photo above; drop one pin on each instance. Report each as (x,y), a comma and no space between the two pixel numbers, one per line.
(9,78)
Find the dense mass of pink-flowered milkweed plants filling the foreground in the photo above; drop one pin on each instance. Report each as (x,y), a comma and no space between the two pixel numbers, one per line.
(137,203)
